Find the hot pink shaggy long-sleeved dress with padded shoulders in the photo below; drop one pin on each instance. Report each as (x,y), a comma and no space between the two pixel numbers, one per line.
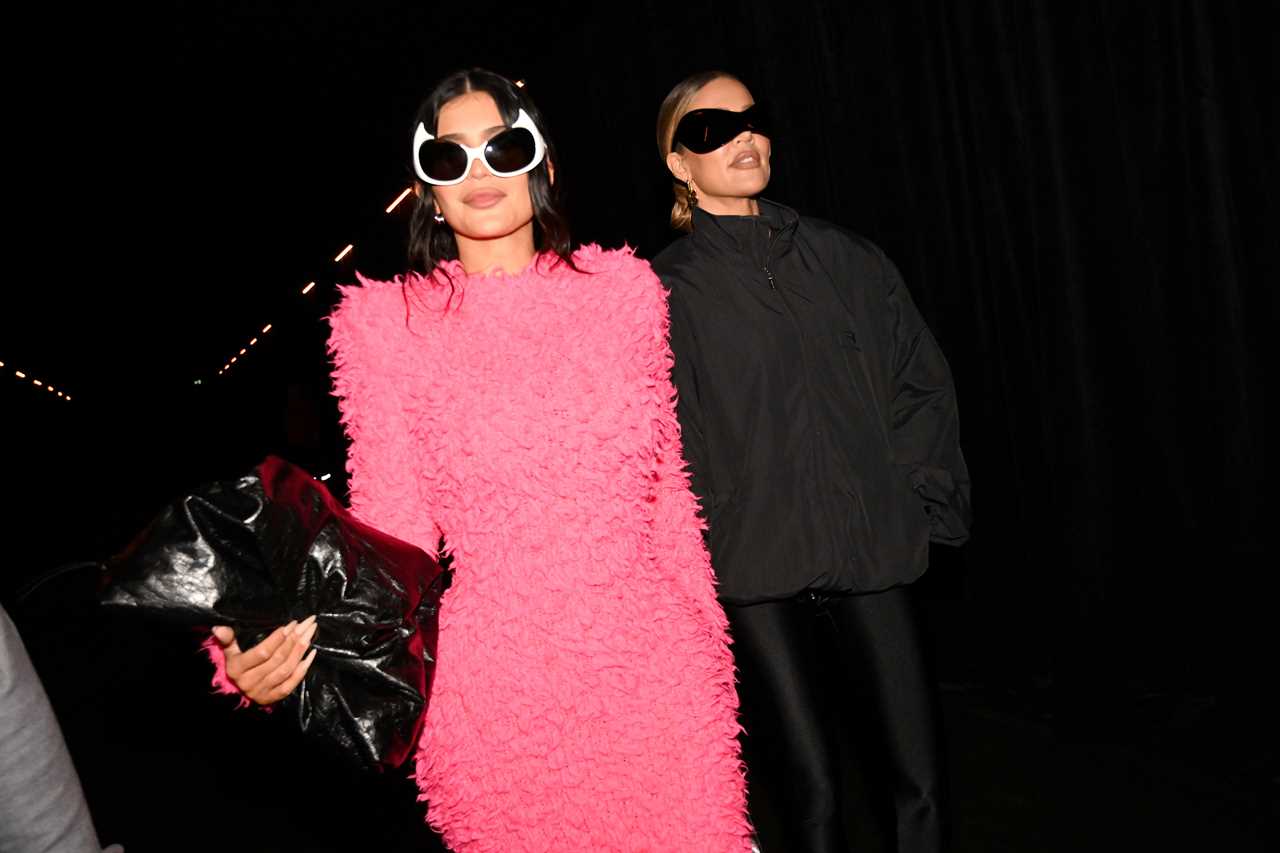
(584,697)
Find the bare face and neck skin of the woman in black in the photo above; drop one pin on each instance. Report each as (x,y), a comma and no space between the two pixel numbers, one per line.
(729,179)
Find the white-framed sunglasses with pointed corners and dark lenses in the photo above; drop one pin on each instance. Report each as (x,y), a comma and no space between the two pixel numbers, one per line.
(514,152)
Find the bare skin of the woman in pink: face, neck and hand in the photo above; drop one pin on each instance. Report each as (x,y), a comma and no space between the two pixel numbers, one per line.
(493,223)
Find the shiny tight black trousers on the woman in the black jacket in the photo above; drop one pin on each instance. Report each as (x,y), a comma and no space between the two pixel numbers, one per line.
(817,669)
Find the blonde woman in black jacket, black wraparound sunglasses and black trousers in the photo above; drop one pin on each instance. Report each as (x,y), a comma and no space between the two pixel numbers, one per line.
(820,426)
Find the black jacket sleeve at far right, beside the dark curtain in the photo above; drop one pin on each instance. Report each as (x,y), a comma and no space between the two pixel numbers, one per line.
(925,421)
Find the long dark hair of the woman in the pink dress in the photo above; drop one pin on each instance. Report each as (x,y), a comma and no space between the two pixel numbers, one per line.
(431,243)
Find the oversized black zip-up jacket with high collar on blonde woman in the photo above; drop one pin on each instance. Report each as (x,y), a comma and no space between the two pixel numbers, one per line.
(819,414)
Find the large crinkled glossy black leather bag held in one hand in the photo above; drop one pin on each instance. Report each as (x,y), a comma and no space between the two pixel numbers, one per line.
(276,546)
